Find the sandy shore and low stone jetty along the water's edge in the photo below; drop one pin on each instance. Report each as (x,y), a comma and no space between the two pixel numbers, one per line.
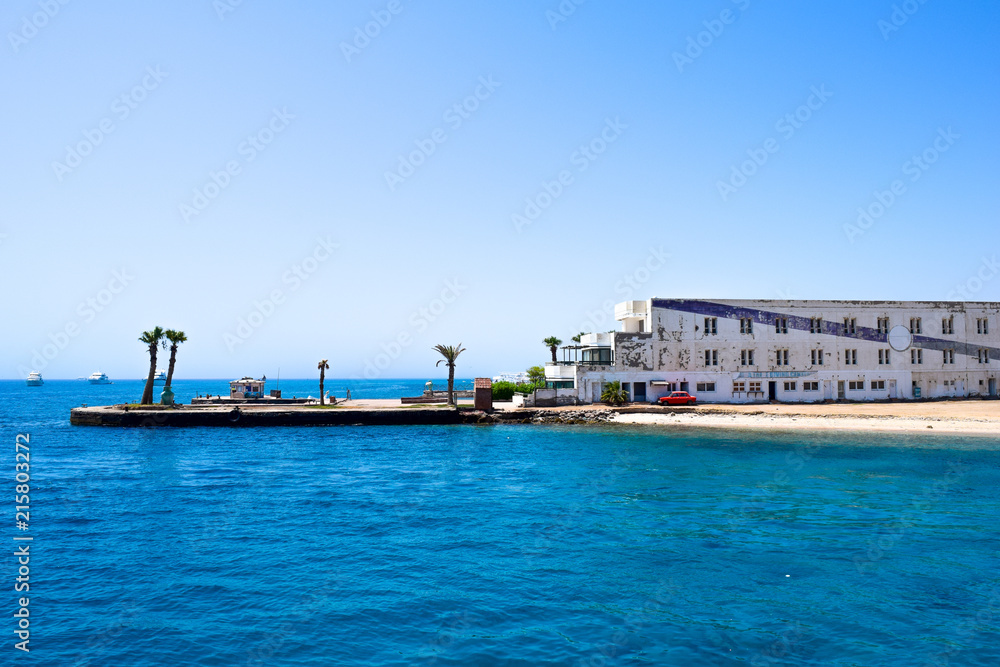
(956,418)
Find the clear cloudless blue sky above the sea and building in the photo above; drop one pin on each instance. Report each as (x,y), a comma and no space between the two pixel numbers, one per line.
(285,188)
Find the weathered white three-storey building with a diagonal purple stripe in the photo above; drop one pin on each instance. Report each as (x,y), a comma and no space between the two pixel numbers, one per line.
(740,351)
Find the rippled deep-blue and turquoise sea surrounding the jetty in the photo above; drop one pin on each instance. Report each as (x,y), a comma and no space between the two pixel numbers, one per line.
(510,545)
